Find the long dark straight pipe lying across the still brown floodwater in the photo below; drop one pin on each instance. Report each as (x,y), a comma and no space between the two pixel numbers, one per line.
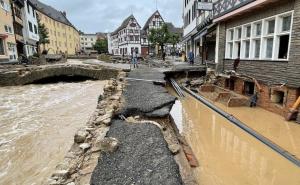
(247,129)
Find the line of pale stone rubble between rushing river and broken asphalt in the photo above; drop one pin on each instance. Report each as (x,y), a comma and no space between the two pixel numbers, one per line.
(90,141)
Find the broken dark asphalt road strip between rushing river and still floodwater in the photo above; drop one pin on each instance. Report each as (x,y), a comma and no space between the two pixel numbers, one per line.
(143,156)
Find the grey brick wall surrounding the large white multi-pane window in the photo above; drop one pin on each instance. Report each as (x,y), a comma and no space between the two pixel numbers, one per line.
(267,72)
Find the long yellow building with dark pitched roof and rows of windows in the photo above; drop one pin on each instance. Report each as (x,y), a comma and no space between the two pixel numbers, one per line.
(63,36)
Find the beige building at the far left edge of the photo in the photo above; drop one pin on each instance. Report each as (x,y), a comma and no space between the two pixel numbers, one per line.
(8,51)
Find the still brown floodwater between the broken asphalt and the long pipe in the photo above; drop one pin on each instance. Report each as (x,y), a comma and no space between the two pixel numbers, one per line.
(228,155)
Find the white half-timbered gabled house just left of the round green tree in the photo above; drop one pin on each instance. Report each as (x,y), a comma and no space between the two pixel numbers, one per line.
(126,37)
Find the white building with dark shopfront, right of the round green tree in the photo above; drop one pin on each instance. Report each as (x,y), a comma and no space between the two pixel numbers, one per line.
(198,32)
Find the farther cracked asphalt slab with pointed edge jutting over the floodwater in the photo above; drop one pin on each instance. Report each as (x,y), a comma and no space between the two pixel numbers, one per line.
(146,98)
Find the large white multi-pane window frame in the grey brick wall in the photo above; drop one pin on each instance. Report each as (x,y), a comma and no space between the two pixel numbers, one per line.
(232,54)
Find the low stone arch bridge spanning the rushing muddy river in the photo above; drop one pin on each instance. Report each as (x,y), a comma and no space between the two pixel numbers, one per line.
(27,75)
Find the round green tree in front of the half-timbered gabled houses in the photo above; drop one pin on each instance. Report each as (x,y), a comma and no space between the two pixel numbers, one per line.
(159,37)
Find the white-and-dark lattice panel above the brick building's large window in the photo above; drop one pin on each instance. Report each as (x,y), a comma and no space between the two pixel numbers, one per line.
(223,7)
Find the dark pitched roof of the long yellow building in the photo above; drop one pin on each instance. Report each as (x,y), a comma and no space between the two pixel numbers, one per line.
(51,12)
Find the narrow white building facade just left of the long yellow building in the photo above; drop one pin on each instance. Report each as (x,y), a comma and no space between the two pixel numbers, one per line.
(30,29)
